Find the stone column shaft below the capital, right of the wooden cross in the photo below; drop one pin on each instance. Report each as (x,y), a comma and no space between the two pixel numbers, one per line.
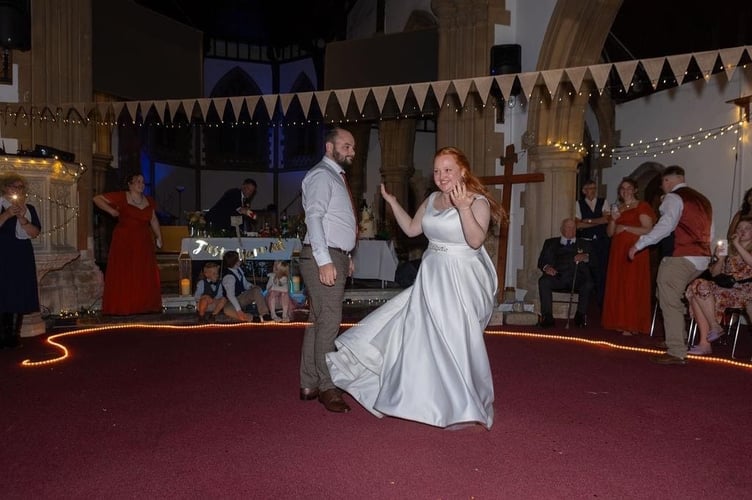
(546,204)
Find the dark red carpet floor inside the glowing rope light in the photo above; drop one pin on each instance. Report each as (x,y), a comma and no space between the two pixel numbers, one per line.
(197,413)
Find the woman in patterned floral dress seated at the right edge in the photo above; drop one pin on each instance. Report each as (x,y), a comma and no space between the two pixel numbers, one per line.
(708,301)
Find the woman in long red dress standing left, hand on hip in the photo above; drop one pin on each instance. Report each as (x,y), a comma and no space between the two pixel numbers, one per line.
(131,282)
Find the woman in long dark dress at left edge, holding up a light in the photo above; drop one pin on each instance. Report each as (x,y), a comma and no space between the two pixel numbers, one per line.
(19,223)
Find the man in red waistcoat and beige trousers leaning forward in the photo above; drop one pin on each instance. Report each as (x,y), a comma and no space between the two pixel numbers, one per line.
(689,215)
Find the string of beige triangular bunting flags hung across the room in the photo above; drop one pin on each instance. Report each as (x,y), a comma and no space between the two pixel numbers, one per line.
(347,99)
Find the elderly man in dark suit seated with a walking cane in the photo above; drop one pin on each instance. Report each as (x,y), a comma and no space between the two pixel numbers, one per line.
(560,258)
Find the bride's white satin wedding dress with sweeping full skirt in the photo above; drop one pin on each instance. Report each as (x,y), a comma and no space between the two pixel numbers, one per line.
(422,356)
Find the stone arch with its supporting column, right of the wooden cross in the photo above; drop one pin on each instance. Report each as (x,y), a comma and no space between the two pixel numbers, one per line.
(575,36)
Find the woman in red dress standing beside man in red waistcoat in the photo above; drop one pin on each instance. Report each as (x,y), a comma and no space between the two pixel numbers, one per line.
(627,302)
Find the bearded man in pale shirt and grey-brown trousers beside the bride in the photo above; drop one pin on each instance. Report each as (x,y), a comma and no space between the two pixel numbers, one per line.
(325,264)
